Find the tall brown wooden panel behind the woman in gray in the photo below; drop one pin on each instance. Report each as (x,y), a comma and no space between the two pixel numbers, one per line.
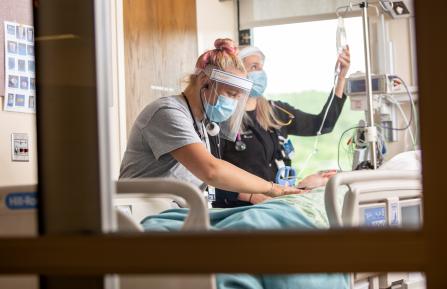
(160,50)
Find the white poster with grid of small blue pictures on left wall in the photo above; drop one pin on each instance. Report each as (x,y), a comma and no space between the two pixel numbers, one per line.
(20,80)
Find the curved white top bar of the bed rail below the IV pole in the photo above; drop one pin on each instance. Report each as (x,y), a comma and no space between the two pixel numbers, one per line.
(371,181)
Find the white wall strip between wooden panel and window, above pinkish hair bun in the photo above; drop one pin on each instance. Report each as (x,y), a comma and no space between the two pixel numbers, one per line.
(215,19)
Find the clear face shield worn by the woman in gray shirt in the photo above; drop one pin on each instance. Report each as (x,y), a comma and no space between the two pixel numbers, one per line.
(225,103)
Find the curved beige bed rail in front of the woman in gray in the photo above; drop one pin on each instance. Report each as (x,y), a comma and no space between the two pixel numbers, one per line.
(197,218)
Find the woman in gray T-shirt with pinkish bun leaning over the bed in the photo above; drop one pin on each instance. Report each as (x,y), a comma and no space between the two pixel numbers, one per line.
(170,136)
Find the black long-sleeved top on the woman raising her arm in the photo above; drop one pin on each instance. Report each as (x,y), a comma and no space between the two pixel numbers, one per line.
(262,147)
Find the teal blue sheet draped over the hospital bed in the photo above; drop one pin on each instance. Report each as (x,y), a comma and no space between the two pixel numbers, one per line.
(271,215)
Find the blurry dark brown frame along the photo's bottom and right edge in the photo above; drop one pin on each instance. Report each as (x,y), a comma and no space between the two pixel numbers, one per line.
(319,251)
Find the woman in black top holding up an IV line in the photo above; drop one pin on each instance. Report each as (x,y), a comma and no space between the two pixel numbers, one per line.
(258,148)
